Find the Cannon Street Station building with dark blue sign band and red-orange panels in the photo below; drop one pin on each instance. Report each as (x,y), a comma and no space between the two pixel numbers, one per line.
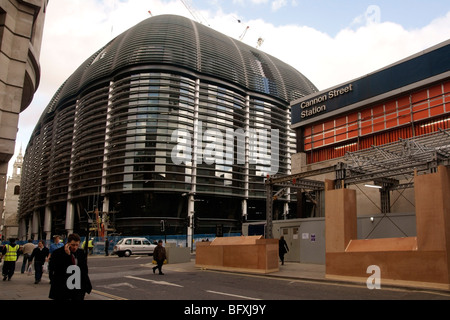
(371,134)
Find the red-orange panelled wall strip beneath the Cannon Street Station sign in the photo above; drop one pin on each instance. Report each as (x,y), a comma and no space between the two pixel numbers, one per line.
(418,113)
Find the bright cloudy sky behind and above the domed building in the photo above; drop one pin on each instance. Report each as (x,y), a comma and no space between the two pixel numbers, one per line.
(328,41)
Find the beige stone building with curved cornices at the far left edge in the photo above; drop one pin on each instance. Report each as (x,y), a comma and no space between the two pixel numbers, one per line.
(21,27)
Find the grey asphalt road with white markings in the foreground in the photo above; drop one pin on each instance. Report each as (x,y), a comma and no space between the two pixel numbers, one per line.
(132,279)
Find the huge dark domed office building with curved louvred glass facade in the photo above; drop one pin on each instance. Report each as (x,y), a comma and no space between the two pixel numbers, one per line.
(168,121)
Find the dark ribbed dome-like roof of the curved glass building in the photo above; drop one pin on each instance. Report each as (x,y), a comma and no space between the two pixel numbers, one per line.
(178,42)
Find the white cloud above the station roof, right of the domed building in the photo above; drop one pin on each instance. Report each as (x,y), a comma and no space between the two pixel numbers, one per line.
(352,53)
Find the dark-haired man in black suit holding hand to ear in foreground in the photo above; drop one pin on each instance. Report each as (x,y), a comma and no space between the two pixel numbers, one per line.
(68,271)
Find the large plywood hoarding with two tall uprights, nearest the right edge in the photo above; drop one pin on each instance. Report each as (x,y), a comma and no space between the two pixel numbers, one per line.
(418,261)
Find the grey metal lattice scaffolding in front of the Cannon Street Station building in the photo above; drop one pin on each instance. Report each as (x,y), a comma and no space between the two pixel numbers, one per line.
(391,167)
